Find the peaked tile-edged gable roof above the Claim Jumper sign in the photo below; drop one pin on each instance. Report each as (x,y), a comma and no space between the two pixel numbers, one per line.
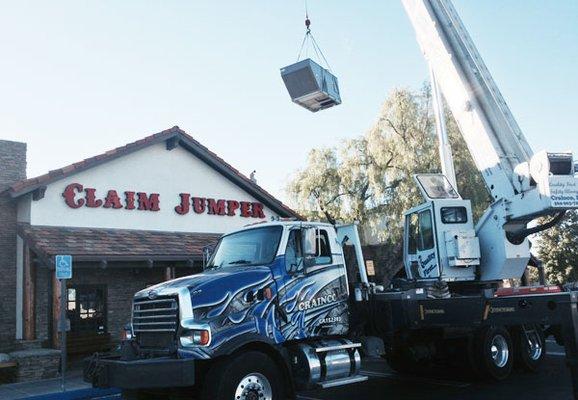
(174,133)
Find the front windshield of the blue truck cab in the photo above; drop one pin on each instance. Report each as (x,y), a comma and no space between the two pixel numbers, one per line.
(251,247)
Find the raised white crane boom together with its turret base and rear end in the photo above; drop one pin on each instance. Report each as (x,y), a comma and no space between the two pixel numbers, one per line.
(523,185)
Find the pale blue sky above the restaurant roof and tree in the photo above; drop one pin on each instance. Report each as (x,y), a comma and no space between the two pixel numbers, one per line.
(80,77)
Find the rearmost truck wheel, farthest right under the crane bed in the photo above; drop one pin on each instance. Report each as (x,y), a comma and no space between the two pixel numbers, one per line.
(530,347)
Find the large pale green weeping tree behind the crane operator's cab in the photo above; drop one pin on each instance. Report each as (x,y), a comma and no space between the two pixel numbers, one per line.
(369,178)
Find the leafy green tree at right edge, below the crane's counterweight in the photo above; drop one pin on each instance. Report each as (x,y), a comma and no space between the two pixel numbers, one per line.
(558,250)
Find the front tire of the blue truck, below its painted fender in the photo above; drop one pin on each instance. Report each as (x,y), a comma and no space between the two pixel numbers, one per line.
(248,376)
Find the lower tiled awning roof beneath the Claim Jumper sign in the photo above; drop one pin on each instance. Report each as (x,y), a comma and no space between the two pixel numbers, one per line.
(95,244)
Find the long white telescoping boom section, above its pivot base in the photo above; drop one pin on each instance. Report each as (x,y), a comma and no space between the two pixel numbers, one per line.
(492,135)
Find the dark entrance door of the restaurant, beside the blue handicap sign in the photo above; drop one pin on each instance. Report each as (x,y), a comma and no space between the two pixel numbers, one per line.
(86,311)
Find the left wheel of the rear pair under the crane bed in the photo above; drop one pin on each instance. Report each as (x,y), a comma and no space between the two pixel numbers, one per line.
(491,353)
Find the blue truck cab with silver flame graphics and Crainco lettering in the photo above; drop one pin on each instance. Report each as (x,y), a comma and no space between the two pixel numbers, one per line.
(273,300)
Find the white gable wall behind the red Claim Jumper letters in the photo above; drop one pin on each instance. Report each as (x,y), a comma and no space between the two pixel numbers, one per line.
(152,170)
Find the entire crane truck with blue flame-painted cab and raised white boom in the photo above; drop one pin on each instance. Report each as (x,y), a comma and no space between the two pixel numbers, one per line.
(278,309)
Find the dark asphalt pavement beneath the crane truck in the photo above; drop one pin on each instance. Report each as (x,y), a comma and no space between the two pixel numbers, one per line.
(552,381)
